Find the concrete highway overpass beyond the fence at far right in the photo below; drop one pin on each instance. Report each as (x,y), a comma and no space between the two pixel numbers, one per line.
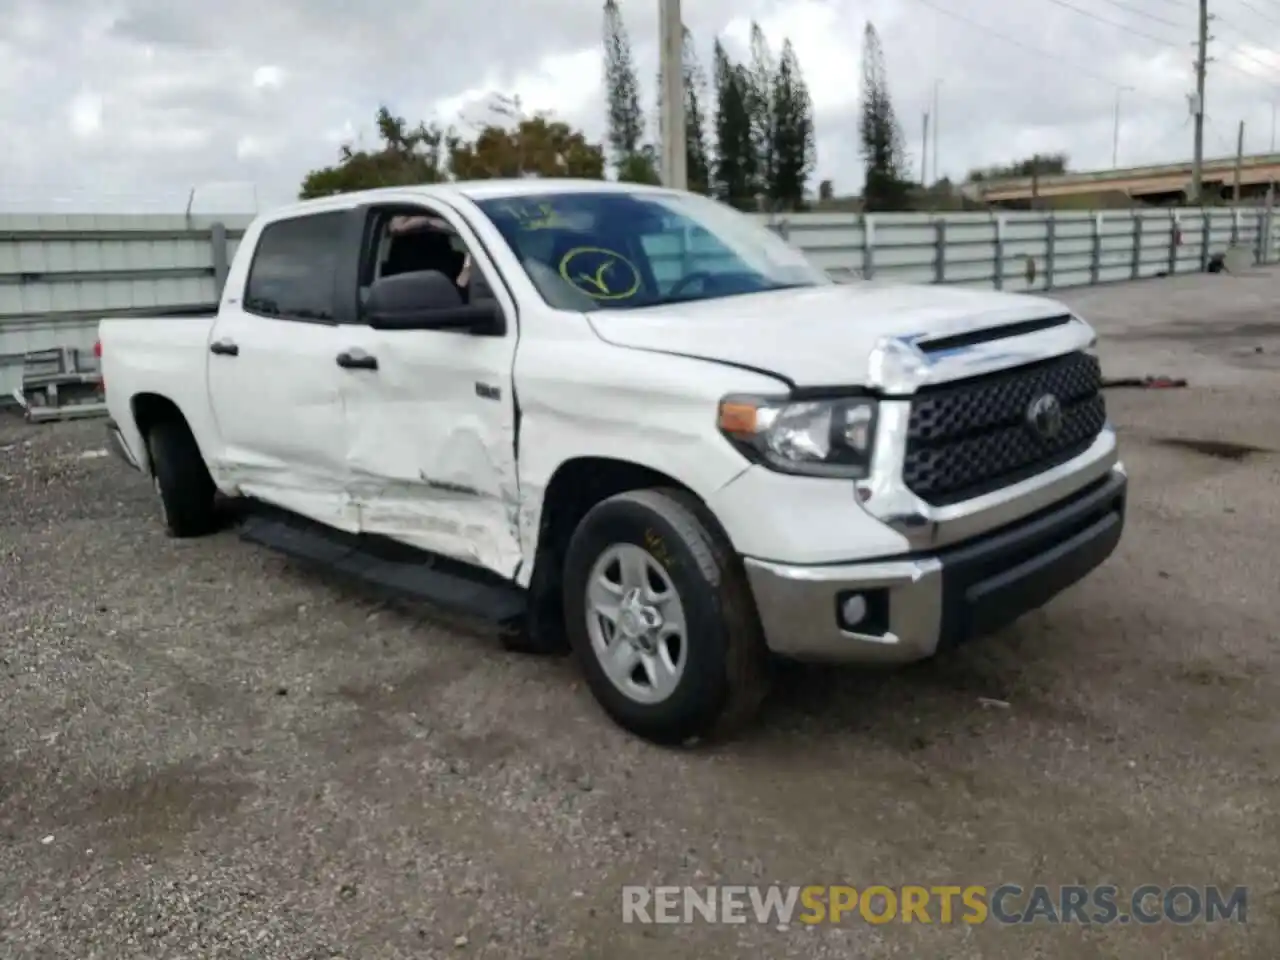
(1167,184)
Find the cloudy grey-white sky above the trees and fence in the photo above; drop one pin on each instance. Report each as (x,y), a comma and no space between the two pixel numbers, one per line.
(130,106)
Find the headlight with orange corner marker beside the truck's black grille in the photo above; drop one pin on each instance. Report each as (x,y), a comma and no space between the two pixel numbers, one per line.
(815,438)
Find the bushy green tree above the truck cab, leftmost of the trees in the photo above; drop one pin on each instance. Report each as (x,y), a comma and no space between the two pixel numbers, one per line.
(408,156)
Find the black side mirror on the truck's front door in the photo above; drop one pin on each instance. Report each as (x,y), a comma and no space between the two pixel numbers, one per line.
(428,300)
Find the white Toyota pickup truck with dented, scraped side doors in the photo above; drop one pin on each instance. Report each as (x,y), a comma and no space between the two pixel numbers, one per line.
(632,423)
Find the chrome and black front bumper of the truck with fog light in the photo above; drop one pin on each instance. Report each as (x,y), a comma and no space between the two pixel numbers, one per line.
(908,609)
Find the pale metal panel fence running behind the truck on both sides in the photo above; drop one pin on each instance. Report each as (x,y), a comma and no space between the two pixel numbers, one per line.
(61,275)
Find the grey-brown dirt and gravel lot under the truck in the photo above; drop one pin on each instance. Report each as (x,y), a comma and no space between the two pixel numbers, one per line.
(207,752)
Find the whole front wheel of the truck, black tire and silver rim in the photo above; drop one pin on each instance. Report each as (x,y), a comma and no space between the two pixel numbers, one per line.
(660,615)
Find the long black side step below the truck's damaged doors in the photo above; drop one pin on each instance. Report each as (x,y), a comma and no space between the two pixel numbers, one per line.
(388,566)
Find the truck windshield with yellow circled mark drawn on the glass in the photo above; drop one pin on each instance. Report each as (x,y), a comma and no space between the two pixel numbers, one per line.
(623,252)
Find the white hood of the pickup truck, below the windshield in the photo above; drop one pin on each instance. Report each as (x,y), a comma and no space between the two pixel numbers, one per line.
(815,336)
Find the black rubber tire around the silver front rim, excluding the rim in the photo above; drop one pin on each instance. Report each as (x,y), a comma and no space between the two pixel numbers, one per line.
(725,676)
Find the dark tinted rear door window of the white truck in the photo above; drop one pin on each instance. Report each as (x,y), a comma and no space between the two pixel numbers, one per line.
(294,268)
